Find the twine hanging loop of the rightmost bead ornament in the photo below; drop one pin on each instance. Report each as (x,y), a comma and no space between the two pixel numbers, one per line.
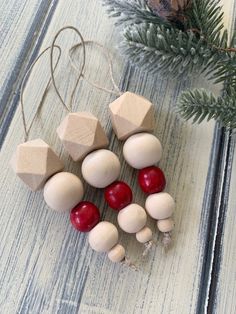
(106,52)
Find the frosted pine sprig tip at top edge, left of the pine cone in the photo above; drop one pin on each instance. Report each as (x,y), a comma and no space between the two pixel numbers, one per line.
(132,12)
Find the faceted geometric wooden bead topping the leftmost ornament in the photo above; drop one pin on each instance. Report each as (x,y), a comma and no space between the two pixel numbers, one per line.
(34,162)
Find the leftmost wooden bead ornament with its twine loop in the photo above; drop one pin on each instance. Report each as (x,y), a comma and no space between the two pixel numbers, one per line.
(39,167)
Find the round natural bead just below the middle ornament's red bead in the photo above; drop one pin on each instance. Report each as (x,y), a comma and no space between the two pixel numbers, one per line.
(132,218)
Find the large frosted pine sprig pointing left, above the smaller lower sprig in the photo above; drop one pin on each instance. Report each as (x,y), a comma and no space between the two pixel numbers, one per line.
(159,49)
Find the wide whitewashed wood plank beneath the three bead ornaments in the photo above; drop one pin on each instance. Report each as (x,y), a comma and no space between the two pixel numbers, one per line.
(45,265)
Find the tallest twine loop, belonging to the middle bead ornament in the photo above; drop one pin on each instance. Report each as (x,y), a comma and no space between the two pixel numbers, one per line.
(67,107)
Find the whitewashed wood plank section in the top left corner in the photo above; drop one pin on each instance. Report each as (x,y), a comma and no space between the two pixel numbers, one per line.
(16,20)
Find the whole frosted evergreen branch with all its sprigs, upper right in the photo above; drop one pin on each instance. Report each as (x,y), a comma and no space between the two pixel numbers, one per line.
(197,43)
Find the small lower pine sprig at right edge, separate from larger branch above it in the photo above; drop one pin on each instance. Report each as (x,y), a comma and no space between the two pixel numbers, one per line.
(200,105)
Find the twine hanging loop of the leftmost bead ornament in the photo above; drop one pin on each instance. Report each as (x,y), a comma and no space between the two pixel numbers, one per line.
(22,89)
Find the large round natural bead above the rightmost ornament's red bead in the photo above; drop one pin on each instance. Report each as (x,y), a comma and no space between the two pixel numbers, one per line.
(142,150)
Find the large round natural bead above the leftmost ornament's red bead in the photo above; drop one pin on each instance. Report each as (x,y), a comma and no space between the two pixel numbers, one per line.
(63,191)
